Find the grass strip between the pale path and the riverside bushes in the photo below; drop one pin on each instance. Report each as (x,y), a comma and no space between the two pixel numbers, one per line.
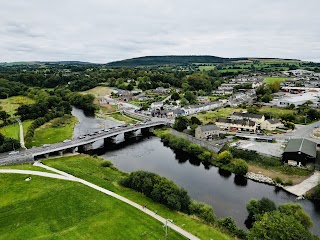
(89,168)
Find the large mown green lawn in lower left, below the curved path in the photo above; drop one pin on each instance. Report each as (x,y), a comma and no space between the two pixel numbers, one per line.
(46,208)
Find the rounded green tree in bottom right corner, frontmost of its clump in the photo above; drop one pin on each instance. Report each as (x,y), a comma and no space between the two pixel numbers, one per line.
(276,225)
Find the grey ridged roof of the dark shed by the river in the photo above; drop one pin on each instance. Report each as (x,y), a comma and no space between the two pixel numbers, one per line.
(302,145)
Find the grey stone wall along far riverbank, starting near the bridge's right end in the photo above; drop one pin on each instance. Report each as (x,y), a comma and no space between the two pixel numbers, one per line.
(213,146)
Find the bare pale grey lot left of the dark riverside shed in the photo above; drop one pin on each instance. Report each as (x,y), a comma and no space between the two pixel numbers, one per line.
(273,149)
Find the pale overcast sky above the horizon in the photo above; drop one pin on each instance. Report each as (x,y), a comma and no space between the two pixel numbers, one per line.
(102,31)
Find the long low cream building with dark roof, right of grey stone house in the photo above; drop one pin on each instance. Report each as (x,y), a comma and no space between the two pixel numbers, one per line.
(236,125)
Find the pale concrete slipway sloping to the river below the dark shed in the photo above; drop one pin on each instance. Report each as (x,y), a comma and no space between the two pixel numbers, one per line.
(303,187)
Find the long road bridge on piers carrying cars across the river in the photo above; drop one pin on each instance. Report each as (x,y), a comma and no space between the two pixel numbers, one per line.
(82,143)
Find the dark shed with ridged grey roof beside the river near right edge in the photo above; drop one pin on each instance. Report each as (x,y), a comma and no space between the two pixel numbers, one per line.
(299,152)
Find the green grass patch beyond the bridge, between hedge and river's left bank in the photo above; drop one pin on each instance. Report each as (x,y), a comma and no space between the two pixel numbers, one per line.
(54,131)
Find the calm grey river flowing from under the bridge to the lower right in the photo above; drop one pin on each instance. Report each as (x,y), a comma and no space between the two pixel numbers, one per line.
(227,193)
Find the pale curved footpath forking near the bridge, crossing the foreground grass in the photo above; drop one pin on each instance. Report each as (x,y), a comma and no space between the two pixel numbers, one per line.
(65,176)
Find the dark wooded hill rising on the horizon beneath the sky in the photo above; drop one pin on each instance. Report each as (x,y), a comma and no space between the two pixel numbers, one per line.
(171,60)
